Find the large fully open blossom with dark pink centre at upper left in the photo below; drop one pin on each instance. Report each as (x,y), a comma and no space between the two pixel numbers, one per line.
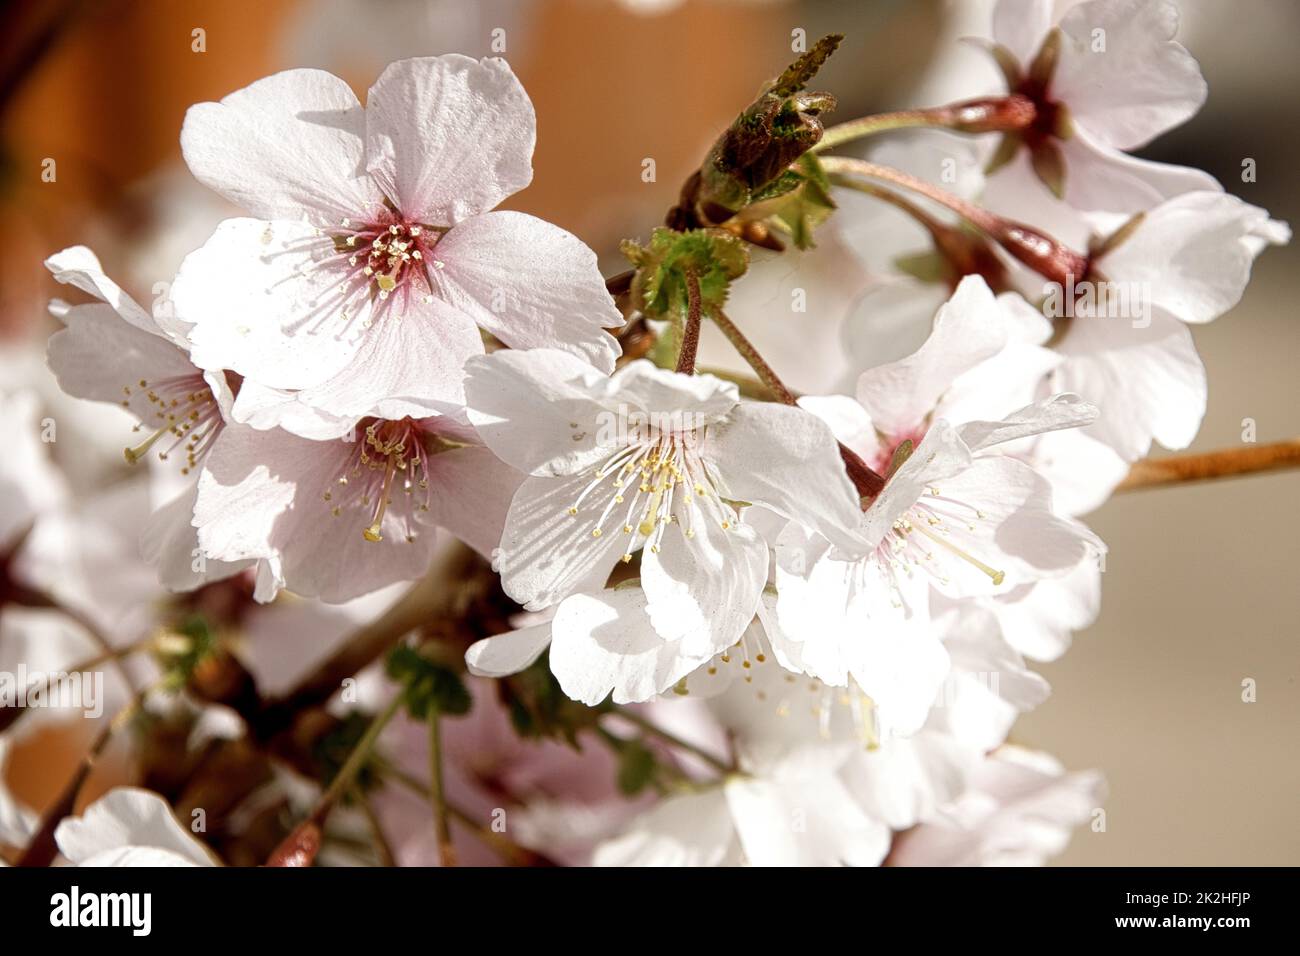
(374,258)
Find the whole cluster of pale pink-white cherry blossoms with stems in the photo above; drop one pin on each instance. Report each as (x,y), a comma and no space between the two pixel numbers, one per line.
(791,629)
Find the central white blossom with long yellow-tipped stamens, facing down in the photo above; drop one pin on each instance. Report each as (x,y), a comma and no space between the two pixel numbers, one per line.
(656,462)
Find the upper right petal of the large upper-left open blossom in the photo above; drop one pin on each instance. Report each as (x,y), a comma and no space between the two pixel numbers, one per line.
(449,137)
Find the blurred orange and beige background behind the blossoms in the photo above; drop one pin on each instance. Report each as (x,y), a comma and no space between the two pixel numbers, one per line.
(1202,589)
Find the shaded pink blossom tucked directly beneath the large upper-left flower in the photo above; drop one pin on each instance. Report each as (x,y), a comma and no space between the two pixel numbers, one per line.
(339,520)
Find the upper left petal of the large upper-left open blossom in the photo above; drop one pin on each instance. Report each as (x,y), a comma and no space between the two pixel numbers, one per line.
(284,148)
